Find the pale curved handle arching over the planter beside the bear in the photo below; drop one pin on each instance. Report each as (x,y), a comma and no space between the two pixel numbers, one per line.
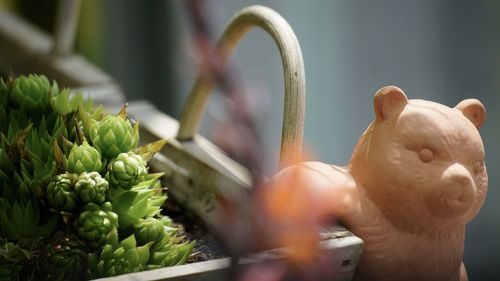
(294,74)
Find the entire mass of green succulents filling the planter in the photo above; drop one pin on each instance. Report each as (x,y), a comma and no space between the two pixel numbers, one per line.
(67,166)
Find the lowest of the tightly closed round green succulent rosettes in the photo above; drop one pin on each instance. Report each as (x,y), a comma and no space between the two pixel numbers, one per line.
(96,222)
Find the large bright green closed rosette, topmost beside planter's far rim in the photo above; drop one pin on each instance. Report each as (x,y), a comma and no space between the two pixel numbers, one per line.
(114,135)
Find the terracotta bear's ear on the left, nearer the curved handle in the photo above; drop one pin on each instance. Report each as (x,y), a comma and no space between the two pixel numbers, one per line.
(388,101)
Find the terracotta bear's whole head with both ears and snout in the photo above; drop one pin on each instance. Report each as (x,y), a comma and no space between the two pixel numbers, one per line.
(422,163)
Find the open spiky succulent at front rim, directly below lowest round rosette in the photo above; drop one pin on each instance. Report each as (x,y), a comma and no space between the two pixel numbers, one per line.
(122,258)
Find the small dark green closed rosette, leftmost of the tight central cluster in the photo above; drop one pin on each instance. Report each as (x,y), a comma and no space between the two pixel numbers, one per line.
(61,193)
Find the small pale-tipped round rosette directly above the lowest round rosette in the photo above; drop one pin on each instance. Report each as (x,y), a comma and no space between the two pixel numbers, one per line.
(91,187)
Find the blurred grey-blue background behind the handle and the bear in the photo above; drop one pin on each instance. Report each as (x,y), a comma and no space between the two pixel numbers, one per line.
(443,51)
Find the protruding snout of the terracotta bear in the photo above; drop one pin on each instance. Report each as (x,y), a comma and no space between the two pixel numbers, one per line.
(458,188)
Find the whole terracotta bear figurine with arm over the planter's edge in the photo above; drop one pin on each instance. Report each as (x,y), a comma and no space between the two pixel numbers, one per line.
(416,178)
